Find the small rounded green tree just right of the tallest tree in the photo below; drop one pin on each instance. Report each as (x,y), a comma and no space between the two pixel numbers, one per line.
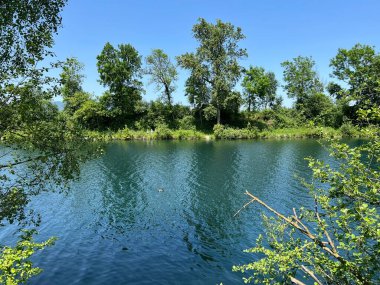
(259,88)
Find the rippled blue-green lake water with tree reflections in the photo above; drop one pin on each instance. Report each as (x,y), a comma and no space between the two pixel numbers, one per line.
(163,212)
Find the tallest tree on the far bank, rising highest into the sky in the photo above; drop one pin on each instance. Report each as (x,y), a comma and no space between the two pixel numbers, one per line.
(215,65)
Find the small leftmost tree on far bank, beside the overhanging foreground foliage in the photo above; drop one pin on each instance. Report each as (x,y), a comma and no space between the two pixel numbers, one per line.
(71,81)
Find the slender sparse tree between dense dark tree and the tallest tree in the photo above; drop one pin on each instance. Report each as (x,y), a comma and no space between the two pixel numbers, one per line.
(163,73)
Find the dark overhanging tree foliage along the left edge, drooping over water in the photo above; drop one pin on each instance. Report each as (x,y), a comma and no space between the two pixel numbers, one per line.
(28,119)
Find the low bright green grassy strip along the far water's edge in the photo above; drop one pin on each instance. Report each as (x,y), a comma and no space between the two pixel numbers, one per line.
(222,132)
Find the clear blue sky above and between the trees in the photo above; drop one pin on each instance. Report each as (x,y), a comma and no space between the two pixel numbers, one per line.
(275,30)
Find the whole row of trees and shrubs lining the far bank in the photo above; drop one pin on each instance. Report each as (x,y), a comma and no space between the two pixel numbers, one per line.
(214,74)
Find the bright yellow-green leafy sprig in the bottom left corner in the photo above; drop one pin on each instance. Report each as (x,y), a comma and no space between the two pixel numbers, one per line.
(15,264)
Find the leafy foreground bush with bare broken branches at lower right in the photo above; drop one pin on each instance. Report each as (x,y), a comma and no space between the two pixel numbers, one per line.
(338,240)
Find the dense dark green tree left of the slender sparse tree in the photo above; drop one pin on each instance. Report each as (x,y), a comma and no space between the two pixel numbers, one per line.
(120,70)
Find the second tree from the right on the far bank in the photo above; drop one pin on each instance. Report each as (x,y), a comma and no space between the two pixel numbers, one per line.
(301,80)
